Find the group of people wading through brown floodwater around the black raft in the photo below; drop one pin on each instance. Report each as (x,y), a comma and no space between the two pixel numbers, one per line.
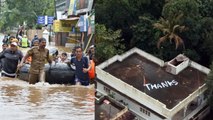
(12,59)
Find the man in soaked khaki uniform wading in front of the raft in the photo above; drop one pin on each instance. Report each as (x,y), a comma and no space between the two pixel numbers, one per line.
(39,55)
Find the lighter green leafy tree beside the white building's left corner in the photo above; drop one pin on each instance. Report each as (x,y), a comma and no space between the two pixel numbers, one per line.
(107,43)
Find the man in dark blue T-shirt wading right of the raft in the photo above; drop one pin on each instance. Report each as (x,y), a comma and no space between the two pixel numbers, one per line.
(82,66)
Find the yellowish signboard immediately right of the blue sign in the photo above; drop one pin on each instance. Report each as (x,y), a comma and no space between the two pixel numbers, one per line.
(64,25)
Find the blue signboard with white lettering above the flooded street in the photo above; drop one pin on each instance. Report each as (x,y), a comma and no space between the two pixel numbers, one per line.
(45,20)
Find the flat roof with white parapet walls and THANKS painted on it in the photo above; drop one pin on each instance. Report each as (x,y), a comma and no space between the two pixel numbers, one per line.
(145,79)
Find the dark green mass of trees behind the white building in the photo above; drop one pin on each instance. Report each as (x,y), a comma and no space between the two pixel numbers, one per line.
(135,19)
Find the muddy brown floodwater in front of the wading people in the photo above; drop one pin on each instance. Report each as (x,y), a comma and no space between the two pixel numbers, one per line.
(42,101)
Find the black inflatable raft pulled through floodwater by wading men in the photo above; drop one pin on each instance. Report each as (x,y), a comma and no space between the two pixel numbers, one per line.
(59,73)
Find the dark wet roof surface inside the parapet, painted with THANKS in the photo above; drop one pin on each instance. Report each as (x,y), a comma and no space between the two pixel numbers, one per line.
(167,88)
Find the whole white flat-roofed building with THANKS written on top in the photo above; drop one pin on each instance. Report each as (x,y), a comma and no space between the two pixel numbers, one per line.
(153,89)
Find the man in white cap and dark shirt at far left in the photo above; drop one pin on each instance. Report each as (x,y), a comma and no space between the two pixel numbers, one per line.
(10,59)
